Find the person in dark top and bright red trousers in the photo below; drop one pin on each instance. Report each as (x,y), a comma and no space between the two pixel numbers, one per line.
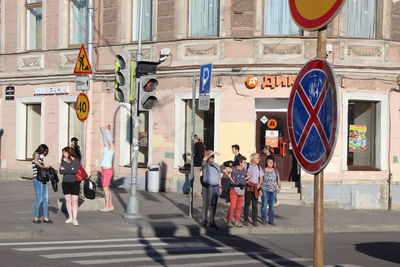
(238,176)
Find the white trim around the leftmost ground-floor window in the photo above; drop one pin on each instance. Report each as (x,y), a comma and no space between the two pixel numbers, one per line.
(21,124)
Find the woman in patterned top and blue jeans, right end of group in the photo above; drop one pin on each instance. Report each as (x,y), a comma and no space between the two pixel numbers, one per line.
(270,185)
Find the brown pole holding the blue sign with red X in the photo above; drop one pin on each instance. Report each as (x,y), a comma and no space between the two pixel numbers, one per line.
(319,182)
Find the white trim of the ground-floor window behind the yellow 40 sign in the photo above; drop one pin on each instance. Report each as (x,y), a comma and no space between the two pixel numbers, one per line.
(63,102)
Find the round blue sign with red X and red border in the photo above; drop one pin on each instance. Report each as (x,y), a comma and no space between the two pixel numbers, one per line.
(313,115)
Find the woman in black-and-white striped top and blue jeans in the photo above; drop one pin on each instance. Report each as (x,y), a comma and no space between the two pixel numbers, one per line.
(41,190)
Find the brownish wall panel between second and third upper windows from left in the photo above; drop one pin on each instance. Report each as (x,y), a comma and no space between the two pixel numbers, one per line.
(110,27)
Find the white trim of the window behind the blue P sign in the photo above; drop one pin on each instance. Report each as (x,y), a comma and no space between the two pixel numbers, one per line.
(180,124)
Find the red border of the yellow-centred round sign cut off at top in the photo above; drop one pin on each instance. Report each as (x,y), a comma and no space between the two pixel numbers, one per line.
(317,23)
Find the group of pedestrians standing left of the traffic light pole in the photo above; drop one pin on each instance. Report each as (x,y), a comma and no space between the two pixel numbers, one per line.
(73,174)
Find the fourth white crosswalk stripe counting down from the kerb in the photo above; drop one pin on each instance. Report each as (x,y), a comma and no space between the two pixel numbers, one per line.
(171,257)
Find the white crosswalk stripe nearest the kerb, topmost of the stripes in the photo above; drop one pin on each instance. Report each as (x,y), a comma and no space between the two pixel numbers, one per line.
(87,241)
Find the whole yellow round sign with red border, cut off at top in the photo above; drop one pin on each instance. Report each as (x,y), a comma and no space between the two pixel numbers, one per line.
(314,14)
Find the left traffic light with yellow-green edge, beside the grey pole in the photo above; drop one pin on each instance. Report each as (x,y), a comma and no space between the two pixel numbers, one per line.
(123,89)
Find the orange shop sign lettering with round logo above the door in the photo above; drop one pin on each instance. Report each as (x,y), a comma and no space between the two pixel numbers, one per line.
(271,81)
